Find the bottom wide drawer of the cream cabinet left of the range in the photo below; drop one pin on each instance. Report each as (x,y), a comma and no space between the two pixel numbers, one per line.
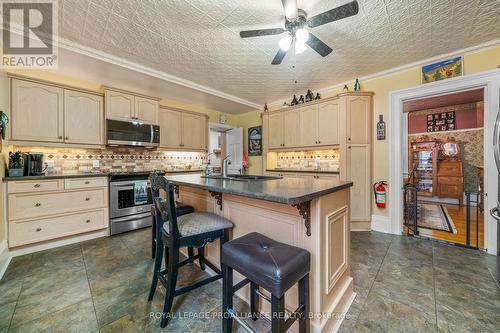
(22,233)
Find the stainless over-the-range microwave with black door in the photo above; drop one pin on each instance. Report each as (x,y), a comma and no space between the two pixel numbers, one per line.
(132,133)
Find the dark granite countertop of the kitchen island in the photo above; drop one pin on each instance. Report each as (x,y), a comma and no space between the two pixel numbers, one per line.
(287,191)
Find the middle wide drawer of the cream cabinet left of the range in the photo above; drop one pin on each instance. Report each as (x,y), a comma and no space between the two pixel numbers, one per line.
(22,206)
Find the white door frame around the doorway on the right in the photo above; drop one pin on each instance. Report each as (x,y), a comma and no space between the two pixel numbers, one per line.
(490,81)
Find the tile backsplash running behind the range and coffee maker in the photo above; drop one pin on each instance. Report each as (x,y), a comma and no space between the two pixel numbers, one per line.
(71,160)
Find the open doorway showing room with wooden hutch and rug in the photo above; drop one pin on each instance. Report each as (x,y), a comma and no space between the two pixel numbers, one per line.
(444,166)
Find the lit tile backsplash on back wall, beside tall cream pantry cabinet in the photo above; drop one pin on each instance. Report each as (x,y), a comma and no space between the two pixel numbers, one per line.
(327,159)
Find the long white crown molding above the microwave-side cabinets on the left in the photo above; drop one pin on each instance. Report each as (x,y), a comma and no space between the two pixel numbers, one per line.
(106,57)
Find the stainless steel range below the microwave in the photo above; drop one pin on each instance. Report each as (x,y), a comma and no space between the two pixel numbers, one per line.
(130,201)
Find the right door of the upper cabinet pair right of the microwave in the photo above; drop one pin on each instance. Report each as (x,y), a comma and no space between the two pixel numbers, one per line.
(194,131)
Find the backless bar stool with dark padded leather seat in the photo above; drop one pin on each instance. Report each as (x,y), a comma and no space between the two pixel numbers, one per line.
(273,266)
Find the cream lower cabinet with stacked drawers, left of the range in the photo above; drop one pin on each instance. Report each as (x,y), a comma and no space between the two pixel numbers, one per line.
(43,210)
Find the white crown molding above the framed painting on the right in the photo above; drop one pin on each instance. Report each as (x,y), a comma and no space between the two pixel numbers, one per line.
(470,50)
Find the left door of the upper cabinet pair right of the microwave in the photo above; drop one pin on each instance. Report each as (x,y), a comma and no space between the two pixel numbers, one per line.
(170,122)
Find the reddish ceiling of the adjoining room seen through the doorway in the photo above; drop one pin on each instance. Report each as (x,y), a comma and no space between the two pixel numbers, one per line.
(464,97)
